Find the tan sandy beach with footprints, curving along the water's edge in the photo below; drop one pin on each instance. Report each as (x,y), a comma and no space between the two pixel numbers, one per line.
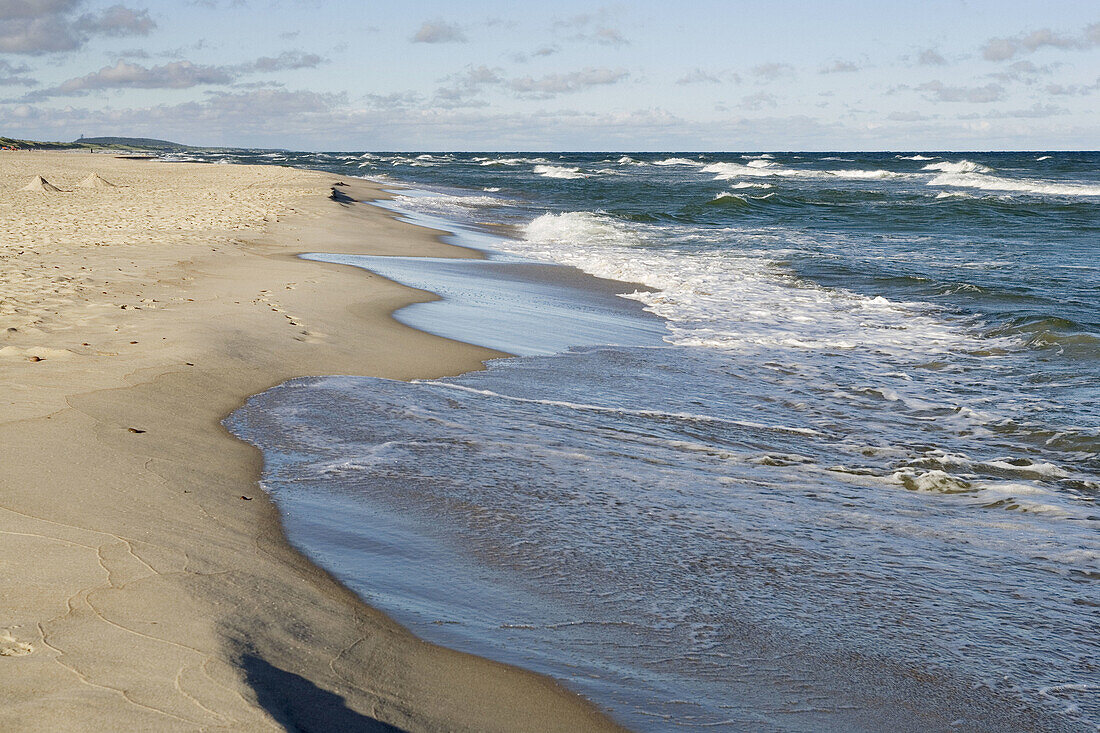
(147,582)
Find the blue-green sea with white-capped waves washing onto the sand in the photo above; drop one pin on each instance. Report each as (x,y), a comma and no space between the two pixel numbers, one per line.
(829,460)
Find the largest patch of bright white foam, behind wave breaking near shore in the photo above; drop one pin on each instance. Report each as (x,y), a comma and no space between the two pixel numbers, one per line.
(733,300)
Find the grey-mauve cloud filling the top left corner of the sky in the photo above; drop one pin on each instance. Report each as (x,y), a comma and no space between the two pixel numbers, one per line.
(41,27)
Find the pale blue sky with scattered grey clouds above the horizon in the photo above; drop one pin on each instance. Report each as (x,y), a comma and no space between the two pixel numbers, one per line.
(558,75)
